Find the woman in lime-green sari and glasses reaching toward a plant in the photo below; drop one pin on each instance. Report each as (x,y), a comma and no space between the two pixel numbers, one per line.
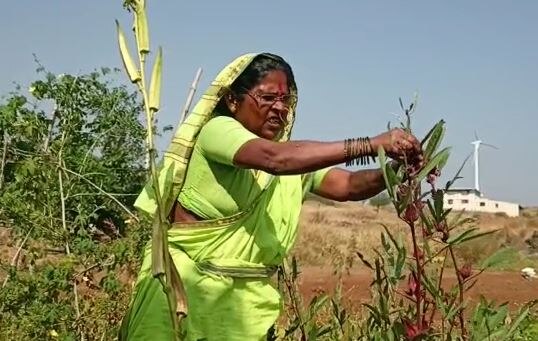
(234,183)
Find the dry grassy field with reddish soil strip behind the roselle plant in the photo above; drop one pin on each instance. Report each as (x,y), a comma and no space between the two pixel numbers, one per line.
(331,233)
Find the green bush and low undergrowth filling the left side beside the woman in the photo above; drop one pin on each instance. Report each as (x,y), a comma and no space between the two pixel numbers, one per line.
(72,168)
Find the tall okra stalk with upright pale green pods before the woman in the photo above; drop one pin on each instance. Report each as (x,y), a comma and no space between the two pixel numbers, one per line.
(162,263)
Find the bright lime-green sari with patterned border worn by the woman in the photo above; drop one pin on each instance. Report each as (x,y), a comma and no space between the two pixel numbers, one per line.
(226,261)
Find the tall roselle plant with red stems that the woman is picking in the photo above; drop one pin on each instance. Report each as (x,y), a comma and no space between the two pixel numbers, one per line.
(410,300)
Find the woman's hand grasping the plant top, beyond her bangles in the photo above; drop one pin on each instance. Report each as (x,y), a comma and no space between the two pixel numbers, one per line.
(399,145)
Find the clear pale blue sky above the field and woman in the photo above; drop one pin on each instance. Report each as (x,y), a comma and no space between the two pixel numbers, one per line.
(474,63)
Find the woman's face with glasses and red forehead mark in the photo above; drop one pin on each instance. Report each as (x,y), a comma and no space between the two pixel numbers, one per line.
(264,108)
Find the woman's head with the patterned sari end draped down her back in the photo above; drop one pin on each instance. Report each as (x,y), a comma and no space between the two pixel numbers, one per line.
(258,90)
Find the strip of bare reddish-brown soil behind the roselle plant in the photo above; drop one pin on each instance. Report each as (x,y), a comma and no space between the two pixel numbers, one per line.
(508,287)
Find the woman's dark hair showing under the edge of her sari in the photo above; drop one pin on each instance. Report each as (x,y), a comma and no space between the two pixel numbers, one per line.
(260,66)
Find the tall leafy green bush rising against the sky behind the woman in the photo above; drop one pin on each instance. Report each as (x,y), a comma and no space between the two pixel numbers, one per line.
(88,129)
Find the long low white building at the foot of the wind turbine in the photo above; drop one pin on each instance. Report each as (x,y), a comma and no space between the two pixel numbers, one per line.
(473,200)
